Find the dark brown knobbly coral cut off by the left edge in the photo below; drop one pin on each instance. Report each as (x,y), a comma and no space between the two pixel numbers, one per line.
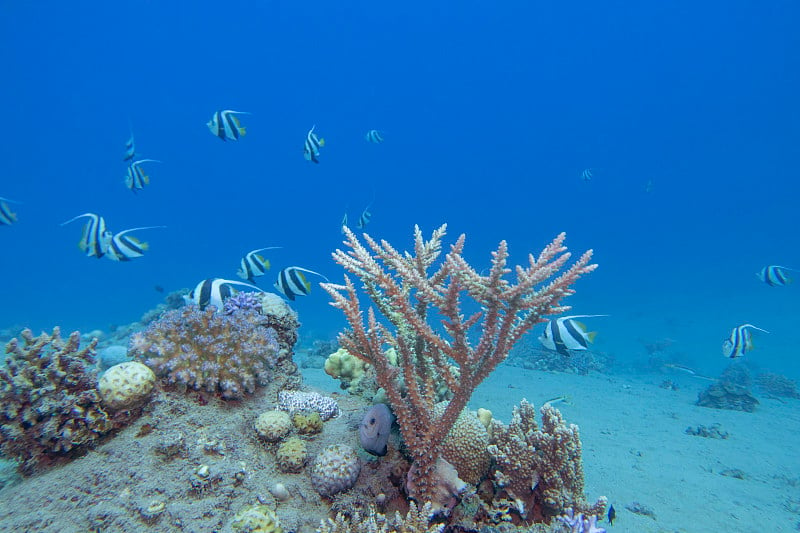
(51,407)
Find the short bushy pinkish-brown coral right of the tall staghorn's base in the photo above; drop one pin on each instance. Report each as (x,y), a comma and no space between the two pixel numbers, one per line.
(540,468)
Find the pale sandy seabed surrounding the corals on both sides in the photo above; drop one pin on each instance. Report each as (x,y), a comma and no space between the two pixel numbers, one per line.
(635,451)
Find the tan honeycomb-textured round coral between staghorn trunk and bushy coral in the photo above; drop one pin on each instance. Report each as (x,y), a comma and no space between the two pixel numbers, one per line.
(466,446)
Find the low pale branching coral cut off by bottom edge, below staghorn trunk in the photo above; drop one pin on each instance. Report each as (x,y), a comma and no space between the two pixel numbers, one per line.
(415,521)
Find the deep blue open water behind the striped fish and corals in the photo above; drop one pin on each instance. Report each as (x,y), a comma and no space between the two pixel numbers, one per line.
(490,111)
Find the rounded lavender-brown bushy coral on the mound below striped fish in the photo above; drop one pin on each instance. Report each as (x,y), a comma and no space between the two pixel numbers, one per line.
(204,350)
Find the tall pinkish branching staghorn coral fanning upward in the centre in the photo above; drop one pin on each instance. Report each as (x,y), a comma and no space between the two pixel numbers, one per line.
(404,290)
